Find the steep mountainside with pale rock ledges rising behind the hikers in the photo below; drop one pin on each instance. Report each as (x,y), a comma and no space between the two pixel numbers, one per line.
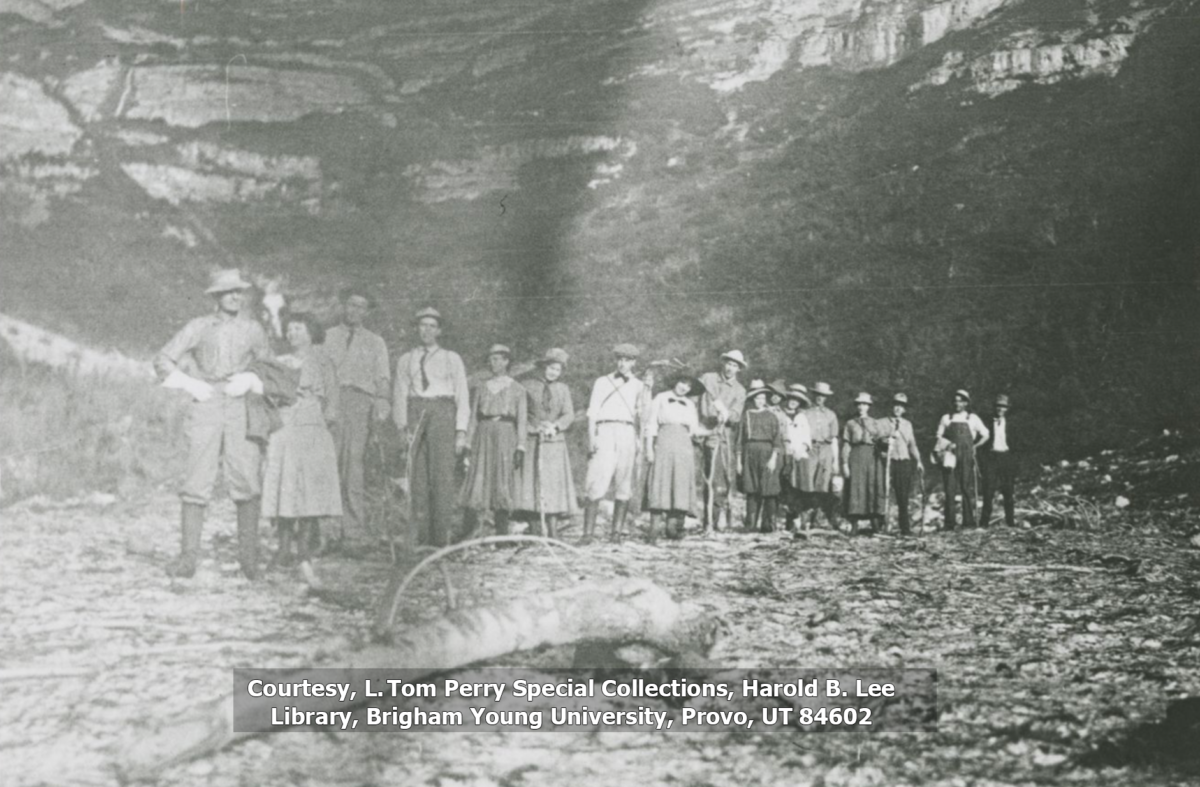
(674,169)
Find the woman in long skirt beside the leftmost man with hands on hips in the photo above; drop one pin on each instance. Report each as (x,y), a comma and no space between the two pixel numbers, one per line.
(301,483)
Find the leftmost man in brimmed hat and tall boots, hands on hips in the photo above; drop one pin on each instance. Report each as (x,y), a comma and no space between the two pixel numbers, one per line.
(212,350)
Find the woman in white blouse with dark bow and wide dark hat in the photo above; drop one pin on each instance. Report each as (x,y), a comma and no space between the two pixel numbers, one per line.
(671,425)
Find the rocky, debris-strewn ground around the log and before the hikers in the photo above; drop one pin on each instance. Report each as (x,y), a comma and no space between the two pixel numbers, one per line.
(1060,644)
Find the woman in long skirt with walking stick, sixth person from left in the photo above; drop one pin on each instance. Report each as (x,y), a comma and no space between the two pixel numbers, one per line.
(545,488)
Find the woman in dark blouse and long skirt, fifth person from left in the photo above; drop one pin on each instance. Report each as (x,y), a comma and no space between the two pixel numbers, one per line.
(497,440)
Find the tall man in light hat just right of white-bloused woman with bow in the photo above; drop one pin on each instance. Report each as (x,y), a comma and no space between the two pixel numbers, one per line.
(721,412)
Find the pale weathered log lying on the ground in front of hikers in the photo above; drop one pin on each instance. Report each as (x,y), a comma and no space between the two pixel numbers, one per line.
(615,611)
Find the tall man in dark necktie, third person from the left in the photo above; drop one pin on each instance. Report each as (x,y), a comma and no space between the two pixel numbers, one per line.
(364,379)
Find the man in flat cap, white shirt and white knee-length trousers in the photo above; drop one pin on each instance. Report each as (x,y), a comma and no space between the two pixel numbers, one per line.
(616,412)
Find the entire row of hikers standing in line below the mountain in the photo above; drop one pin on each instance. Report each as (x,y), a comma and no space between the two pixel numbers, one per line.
(310,412)
